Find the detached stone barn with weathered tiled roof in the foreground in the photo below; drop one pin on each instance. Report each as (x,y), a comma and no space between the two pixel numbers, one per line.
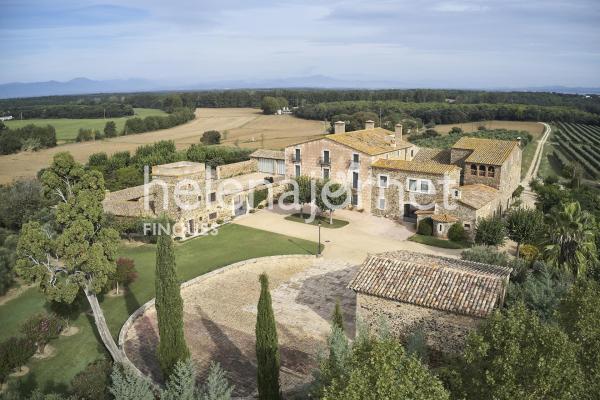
(443,298)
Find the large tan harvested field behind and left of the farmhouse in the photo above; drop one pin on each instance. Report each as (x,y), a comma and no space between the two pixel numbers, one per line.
(242,126)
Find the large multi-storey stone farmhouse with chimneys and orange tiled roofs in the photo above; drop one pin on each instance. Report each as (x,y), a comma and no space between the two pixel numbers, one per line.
(392,178)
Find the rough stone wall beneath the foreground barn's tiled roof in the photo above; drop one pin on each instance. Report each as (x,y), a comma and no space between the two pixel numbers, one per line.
(444,332)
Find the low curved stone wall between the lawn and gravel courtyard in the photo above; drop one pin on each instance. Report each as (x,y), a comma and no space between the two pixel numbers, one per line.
(140,311)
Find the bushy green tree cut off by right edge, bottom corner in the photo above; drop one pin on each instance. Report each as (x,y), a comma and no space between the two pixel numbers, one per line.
(579,316)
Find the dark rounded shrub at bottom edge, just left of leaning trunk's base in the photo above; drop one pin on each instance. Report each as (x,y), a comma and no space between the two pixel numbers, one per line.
(93,381)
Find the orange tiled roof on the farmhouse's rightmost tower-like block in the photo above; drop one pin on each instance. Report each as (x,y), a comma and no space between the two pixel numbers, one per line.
(486,151)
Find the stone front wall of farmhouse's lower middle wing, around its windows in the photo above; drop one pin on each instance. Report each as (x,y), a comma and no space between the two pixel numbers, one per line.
(396,198)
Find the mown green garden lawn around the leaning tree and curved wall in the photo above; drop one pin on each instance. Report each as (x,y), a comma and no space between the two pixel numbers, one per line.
(195,257)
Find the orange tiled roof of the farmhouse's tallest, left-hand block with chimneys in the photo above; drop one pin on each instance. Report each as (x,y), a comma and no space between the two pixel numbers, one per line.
(369,141)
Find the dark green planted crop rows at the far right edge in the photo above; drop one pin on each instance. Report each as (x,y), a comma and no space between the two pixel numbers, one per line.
(581,144)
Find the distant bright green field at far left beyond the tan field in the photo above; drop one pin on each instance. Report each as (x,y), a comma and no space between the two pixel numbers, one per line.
(66,128)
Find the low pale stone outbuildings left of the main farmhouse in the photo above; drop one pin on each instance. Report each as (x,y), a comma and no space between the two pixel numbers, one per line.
(195,197)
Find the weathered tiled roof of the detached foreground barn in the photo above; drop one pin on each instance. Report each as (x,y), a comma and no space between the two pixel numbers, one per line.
(452,285)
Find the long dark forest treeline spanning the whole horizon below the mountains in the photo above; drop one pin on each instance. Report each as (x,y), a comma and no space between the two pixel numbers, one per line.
(307,97)
